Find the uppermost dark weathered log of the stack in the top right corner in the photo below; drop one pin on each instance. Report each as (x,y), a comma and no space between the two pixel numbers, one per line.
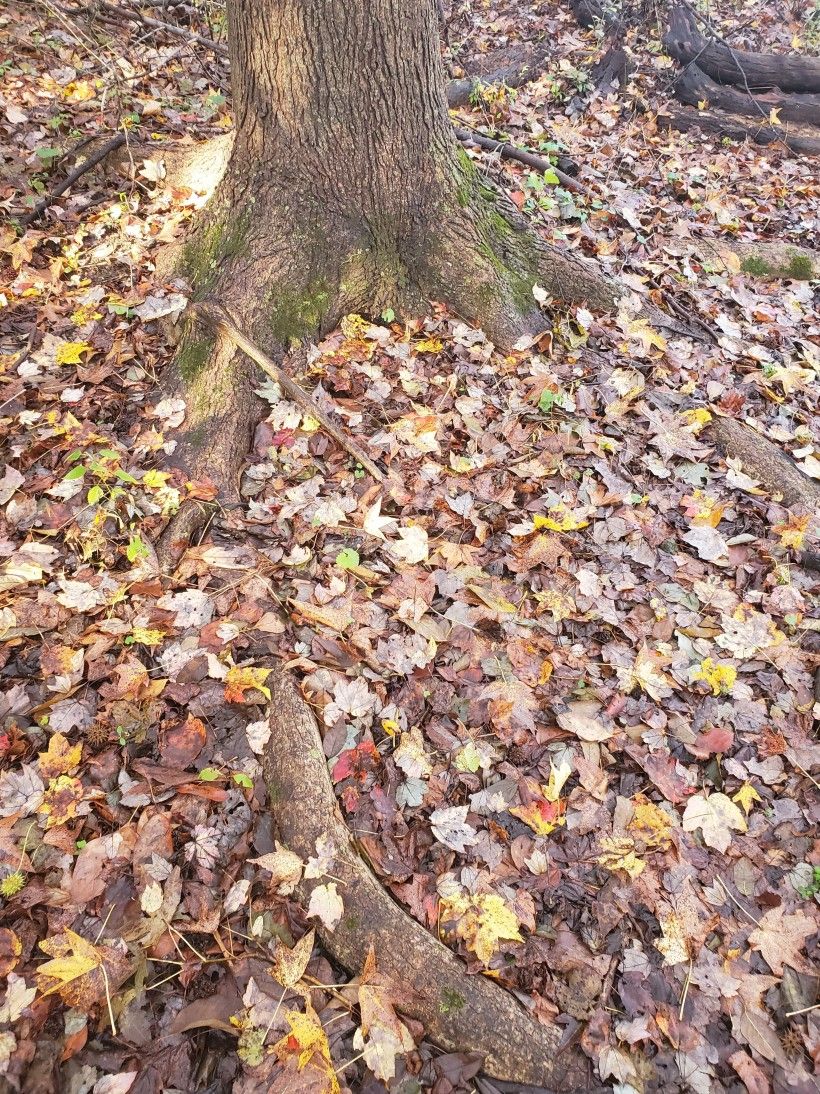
(751,71)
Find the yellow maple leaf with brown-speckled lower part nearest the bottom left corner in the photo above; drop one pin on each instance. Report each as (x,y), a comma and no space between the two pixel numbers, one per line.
(80,972)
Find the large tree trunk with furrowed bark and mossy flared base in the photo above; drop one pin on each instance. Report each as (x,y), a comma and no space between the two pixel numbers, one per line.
(347,191)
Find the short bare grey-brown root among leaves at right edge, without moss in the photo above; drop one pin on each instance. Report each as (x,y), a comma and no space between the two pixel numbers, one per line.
(766,462)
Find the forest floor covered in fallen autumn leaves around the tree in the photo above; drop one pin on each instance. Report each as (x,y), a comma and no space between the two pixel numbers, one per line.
(567,671)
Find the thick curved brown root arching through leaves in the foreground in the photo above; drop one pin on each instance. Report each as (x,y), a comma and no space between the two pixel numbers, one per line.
(460,1012)
